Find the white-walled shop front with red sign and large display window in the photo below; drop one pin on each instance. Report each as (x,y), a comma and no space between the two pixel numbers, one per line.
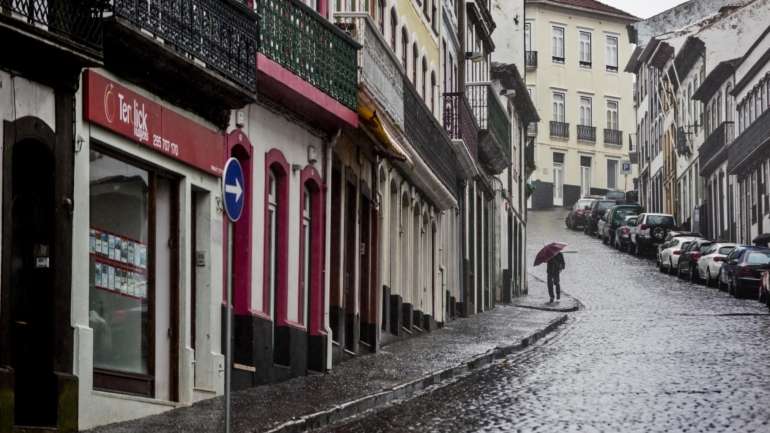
(147,257)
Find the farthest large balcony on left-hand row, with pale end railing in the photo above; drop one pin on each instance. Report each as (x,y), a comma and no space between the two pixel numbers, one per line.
(495,126)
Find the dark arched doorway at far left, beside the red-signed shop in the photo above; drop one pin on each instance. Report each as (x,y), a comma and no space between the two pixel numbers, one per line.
(30,208)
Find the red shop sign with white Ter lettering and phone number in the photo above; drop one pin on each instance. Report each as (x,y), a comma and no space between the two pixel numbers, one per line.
(115,107)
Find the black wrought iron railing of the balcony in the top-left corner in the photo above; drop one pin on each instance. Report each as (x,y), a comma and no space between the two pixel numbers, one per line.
(76,21)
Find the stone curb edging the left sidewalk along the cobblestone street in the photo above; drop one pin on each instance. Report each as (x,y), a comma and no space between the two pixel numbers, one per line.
(351,408)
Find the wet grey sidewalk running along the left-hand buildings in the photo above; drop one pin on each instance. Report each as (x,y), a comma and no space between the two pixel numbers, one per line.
(397,371)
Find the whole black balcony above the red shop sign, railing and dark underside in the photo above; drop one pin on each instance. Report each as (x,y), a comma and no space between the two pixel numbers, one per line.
(197,54)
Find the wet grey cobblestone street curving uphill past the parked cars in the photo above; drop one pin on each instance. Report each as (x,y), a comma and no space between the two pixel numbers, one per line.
(648,353)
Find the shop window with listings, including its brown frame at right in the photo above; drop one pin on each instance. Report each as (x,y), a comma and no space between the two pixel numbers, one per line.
(131,206)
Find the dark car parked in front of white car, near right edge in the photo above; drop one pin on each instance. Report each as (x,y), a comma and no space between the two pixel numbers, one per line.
(742,270)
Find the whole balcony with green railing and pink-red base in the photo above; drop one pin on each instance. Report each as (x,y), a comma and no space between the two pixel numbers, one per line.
(295,38)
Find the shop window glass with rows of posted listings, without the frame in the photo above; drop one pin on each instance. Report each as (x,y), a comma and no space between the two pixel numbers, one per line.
(118,242)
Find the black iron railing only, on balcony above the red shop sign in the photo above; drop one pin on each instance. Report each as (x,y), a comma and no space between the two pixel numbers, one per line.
(219,33)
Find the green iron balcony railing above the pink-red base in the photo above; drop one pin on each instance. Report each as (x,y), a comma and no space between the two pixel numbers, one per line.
(302,41)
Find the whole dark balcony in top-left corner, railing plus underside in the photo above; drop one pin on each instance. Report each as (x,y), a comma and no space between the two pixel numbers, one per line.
(51,40)
